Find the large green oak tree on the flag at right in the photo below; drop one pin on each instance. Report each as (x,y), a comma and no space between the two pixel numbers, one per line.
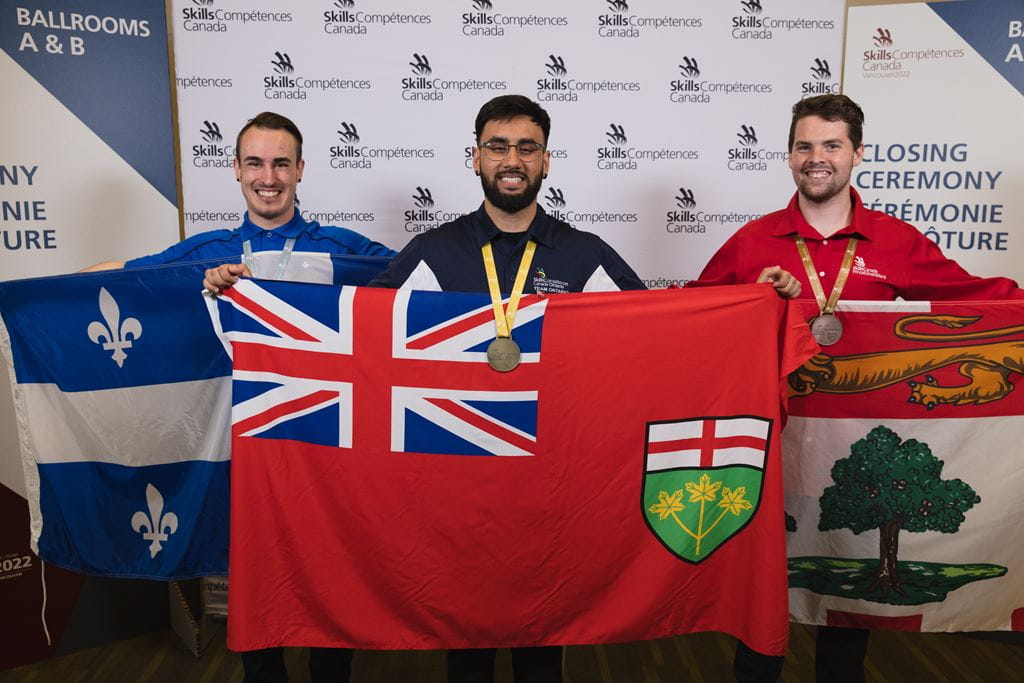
(890,485)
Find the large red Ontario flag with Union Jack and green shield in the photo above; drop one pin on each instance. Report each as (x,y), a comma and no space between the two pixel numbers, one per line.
(391,491)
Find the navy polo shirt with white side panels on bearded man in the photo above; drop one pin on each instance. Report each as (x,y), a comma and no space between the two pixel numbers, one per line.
(449,260)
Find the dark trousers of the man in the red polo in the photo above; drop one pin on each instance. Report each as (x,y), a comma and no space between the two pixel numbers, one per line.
(839,658)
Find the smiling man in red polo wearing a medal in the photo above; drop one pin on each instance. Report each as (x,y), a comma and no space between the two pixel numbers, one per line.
(837,248)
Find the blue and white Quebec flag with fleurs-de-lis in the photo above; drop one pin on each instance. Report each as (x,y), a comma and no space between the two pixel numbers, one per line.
(122,393)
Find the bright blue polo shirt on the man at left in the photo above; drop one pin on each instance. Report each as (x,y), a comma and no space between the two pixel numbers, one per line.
(311,261)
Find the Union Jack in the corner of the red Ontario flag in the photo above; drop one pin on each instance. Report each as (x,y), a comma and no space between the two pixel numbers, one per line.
(362,366)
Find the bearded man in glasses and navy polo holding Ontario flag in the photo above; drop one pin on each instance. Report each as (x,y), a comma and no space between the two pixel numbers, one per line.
(511,159)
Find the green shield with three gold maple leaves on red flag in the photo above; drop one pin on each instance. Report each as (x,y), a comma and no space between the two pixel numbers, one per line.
(695,503)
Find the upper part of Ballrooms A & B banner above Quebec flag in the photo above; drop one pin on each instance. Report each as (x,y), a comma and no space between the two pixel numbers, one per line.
(88,172)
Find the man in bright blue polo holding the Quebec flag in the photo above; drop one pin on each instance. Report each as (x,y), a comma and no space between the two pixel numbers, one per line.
(274,242)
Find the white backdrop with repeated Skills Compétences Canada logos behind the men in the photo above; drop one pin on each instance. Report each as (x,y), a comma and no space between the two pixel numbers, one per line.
(669,119)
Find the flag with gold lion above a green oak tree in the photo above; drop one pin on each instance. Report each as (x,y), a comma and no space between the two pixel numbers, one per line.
(904,471)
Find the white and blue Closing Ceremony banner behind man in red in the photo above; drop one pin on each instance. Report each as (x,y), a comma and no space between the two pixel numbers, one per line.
(955,72)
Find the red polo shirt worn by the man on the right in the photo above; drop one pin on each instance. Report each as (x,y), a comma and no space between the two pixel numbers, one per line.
(893,260)
